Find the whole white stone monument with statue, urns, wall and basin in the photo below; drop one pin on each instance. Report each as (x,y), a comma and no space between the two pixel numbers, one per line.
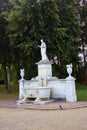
(44,87)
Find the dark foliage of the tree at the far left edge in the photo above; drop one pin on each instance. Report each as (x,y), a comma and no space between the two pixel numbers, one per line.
(4,40)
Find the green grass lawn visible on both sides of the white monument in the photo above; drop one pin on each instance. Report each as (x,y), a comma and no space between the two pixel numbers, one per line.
(81,91)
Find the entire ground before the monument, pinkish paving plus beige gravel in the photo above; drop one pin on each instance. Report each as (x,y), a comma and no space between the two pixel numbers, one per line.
(58,115)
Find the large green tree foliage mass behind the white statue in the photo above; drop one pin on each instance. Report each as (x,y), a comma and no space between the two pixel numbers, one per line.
(54,21)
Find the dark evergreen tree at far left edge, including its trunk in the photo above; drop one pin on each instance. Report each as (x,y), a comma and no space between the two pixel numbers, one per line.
(5,49)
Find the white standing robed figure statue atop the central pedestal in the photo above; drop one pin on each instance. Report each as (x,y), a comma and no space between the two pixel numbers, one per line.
(43,50)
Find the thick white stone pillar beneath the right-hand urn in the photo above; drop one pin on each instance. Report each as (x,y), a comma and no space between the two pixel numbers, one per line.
(70,89)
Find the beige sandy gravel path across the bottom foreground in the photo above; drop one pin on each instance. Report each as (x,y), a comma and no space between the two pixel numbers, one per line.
(24,119)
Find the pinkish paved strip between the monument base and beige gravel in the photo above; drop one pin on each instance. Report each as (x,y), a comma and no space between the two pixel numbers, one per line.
(57,105)
